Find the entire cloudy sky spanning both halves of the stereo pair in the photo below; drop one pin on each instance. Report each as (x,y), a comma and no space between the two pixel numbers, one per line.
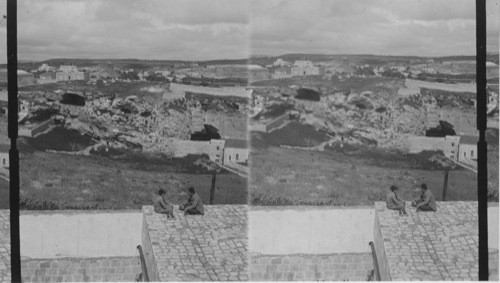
(235,29)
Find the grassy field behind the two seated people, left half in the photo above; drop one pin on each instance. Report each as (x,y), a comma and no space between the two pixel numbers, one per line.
(57,181)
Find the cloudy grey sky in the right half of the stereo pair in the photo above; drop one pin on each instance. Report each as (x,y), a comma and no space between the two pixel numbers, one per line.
(387,27)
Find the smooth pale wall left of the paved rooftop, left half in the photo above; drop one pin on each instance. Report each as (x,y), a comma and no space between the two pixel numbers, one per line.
(79,233)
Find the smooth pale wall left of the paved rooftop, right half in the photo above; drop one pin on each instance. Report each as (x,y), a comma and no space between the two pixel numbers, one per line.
(310,229)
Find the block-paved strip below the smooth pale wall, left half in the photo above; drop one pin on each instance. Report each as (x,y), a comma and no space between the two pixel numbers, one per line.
(114,269)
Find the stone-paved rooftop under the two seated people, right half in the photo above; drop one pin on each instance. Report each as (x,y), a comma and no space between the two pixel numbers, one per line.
(440,245)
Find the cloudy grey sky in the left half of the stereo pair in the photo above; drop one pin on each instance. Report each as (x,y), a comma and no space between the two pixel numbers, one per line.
(145,29)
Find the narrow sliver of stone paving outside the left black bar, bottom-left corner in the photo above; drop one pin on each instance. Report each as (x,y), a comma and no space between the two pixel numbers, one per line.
(5,275)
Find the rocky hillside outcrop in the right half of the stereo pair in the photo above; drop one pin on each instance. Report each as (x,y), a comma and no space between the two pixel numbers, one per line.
(377,116)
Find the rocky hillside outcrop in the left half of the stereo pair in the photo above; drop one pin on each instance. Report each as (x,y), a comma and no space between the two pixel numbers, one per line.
(137,122)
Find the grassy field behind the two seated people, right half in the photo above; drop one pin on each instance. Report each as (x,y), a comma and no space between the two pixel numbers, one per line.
(290,177)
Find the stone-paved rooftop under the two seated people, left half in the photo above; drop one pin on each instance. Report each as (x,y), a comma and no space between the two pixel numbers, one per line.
(197,248)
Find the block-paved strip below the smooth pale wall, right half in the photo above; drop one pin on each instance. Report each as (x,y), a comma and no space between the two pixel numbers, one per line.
(311,267)
